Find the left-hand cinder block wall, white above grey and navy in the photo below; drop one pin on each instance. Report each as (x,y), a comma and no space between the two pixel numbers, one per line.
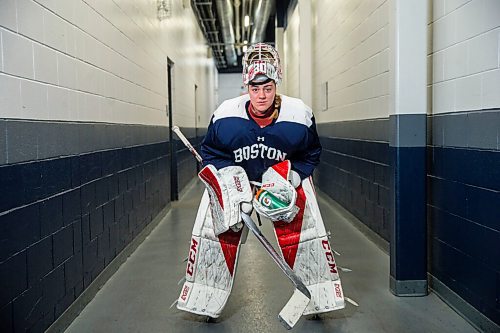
(84,150)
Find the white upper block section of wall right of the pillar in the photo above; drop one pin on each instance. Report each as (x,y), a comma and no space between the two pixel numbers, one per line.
(463,58)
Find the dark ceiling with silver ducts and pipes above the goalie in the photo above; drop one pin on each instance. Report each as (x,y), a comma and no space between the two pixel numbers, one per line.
(223,25)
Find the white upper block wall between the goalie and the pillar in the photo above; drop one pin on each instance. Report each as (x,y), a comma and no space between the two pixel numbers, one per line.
(352,55)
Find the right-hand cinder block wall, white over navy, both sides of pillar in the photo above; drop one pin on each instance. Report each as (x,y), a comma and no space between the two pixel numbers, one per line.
(351,52)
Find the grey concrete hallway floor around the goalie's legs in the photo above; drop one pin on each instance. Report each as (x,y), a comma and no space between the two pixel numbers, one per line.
(137,298)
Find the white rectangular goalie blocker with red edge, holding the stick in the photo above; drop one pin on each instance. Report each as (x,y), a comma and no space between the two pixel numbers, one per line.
(230,192)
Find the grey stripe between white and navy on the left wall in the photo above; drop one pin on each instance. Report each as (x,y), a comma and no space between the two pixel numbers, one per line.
(28,140)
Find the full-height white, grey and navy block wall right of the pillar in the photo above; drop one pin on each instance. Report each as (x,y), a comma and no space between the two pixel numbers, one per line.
(463,180)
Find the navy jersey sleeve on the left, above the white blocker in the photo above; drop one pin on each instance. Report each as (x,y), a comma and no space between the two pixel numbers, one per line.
(213,151)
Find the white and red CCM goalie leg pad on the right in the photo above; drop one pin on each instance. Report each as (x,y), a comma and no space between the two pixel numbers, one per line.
(305,247)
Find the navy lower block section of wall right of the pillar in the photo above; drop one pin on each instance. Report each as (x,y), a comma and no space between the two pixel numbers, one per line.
(464,219)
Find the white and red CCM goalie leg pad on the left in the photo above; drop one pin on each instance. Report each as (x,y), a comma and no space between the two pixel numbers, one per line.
(211,266)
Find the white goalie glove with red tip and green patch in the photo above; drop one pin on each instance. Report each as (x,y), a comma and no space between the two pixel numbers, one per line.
(276,197)
